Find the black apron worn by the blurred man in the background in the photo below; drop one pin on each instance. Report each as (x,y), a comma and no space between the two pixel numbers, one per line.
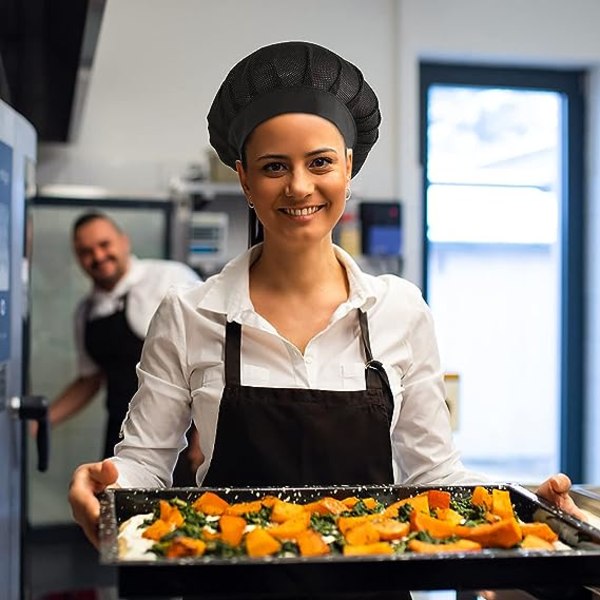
(116,349)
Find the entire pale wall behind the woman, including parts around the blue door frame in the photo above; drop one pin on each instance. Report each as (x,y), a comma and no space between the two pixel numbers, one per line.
(159,63)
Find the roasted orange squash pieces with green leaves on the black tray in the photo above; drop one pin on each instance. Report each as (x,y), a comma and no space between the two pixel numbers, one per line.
(431,522)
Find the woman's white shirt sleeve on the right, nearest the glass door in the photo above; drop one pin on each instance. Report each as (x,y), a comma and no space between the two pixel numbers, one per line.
(422,439)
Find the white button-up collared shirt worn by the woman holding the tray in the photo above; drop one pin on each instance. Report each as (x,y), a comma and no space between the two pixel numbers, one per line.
(181,372)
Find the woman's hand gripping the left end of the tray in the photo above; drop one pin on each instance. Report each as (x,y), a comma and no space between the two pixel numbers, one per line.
(88,480)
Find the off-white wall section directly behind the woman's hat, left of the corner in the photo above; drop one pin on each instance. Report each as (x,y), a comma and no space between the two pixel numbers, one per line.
(159,64)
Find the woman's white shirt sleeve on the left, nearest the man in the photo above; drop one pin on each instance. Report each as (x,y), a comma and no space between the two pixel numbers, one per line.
(159,413)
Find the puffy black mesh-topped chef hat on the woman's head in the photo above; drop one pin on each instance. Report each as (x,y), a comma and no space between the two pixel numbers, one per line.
(293,77)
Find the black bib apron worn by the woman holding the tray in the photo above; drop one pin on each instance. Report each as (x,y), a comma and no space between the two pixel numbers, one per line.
(296,437)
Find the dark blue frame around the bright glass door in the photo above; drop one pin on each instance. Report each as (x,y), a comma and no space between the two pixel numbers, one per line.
(570,83)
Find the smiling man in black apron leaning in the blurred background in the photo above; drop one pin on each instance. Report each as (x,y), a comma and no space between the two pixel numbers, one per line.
(111,323)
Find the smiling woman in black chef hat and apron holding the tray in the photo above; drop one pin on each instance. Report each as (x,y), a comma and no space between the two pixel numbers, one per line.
(296,367)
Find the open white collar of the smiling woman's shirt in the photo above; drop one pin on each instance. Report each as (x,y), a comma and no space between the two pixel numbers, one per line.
(229,293)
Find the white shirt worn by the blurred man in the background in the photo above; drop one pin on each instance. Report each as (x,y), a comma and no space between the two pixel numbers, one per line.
(145,284)
